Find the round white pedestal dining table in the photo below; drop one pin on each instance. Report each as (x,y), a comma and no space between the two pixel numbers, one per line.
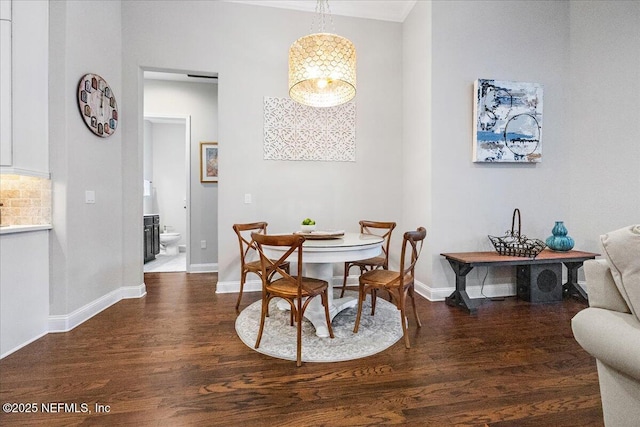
(318,257)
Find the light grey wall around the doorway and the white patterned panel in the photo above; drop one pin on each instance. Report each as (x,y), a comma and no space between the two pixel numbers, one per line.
(248,47)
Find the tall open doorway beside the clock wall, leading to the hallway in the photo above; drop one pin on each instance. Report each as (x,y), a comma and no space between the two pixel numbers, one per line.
(172,98)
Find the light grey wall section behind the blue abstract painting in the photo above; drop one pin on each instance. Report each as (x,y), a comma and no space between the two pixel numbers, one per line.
(521,41)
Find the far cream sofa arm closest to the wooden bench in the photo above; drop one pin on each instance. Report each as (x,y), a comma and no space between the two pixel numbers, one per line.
(602,290)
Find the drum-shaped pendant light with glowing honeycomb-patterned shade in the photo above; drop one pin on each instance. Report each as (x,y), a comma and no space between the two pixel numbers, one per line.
(322,66)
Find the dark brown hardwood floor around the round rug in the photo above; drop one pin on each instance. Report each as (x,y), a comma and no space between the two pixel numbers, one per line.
(173,358)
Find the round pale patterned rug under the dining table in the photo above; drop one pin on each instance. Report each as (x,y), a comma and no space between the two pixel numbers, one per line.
(376,333)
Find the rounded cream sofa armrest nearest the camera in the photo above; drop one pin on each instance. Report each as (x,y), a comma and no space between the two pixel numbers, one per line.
(611,337)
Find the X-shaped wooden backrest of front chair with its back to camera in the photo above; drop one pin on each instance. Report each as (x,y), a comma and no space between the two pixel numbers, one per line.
(270,267)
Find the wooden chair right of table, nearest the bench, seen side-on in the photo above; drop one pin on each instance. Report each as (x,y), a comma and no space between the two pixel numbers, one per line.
(398,283)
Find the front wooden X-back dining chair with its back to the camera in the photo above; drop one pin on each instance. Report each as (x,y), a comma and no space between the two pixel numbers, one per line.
(297,290)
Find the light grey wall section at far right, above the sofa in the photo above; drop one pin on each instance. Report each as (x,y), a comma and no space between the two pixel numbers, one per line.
(604,142)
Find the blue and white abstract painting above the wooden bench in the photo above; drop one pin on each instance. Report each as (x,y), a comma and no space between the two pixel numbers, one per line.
(507,119)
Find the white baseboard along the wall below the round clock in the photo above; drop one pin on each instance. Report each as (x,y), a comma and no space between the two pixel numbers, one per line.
(66,322)
